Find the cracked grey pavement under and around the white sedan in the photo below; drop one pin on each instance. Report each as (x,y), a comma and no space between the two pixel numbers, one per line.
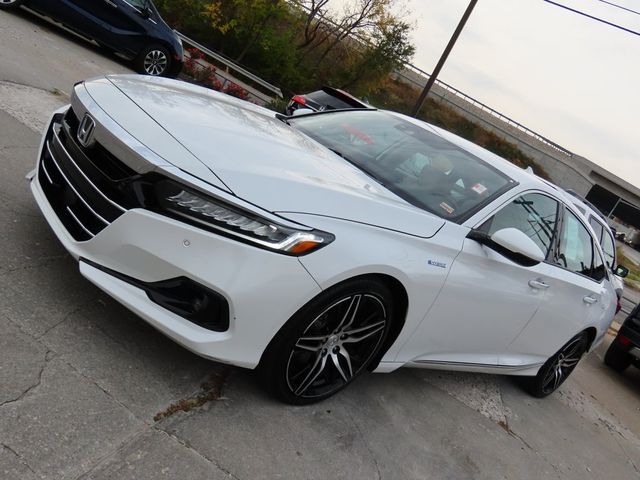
(82,379)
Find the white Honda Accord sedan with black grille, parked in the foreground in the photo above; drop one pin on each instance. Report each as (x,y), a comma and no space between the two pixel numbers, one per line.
(321,246)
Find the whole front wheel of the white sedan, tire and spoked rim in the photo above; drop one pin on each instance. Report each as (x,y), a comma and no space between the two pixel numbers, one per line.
(328,343)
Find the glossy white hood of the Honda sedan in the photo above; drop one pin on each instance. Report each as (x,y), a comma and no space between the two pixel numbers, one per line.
(265,161)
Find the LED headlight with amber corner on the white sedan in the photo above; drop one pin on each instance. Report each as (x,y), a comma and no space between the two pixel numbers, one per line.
(212,214)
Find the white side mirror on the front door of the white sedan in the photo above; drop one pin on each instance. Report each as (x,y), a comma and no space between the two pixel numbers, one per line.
(512,243)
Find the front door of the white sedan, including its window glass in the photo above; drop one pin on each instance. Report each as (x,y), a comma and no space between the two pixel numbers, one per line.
(487,299)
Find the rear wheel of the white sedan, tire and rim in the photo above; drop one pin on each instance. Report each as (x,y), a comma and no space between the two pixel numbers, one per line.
(558,368)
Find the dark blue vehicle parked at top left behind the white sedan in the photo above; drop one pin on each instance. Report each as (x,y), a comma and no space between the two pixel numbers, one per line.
(133,28)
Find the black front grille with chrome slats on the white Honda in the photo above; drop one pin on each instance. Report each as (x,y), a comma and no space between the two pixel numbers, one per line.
(85,187)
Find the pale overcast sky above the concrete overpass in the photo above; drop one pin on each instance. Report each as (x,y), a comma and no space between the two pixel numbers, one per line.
(569,78)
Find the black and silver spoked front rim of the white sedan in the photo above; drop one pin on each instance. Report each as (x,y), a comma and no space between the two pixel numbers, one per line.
(336,345)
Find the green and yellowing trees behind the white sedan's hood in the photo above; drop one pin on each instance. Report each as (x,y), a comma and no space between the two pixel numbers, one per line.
(287,45)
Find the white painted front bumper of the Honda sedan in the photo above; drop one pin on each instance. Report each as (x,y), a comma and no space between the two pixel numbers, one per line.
(263,289)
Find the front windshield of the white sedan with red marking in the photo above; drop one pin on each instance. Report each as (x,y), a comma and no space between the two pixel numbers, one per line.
(411,161)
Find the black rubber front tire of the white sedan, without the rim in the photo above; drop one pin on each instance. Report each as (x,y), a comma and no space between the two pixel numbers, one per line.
(274,363)
